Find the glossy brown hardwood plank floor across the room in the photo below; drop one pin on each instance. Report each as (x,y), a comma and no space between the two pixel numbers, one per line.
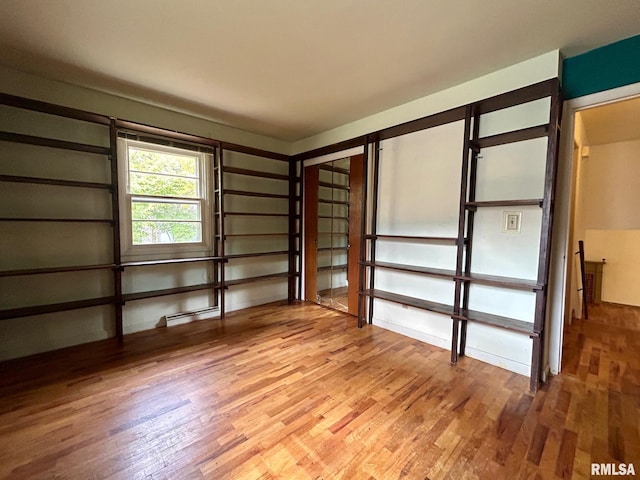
(299,392)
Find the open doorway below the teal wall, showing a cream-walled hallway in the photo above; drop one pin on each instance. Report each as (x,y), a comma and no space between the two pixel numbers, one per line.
(603,214)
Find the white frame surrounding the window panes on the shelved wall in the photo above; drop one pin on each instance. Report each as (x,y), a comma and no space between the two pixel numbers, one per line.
(130,251)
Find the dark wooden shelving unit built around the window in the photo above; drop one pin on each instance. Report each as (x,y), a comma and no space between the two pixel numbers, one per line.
(291,193)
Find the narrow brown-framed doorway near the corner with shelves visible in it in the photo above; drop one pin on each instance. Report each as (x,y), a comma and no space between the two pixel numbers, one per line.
(333,226)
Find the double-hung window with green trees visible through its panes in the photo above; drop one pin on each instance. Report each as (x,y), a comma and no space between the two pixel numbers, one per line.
(165,197)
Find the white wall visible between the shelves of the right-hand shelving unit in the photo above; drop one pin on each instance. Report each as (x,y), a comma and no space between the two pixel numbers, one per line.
(419,194)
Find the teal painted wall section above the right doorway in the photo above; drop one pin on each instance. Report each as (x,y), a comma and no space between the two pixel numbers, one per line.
(604,68)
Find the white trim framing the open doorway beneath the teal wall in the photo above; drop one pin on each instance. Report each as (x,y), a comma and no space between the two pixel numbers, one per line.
(561,247)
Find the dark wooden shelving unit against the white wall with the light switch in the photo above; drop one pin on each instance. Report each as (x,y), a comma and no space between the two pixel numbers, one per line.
(463,276)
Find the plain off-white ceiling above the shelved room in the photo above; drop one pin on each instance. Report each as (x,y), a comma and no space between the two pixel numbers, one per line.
(292,68)
